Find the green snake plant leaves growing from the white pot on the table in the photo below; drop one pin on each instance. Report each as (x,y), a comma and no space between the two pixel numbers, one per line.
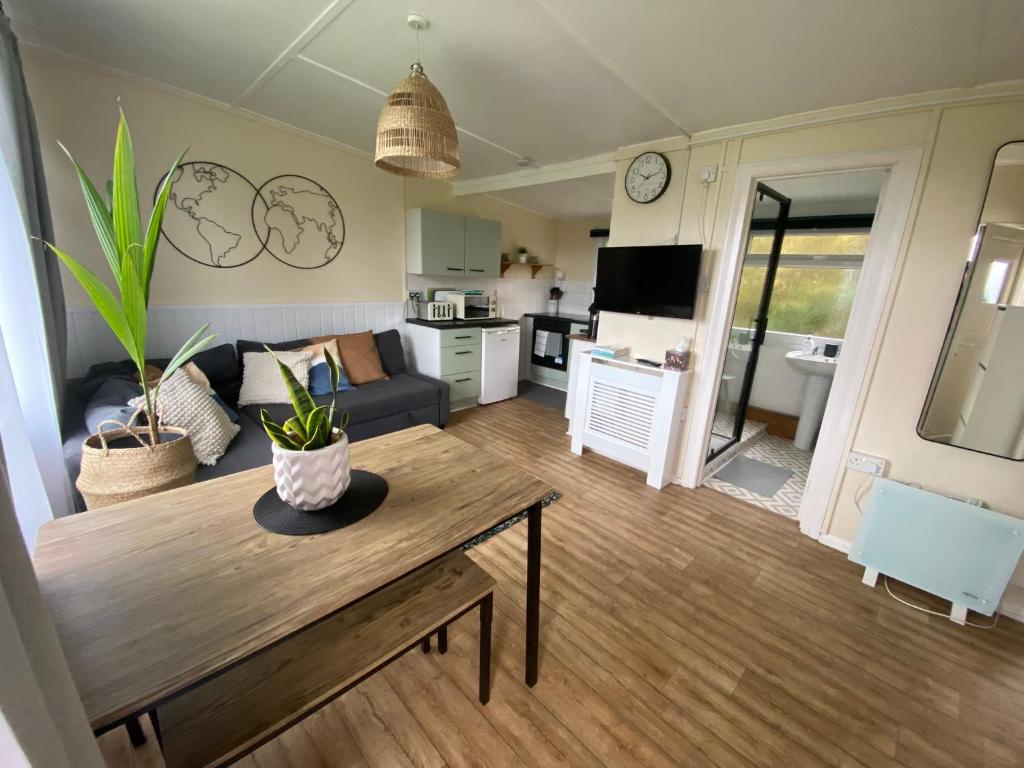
(312,428)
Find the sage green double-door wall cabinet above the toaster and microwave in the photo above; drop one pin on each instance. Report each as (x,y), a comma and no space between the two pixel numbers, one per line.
(449,244)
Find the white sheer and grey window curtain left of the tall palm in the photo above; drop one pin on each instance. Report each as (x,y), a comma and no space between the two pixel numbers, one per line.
(32,323)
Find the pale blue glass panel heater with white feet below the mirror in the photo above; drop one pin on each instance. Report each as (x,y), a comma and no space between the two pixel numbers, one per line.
(958,551)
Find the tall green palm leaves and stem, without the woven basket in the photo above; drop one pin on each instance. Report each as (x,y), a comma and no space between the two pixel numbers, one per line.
(132,254)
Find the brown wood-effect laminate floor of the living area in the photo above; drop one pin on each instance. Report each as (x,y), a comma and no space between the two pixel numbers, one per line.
(679,628)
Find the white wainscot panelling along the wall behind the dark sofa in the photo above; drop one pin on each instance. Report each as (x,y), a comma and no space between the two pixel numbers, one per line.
(91,342)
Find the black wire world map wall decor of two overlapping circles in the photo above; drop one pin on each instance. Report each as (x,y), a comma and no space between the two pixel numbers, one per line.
(218,218)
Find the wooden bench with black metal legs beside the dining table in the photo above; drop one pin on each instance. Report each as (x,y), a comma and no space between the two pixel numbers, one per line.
(239,710)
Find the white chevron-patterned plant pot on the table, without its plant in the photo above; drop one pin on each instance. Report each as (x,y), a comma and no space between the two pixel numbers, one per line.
(313,480)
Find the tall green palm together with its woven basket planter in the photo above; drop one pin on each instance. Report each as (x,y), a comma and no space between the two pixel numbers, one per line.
(131,461)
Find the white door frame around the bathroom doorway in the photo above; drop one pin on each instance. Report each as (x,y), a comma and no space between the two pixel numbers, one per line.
(869,307)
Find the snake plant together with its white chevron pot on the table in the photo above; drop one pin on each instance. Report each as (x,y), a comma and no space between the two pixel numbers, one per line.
(311,455)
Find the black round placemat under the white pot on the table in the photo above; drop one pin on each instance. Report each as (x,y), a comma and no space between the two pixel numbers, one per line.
(366,493)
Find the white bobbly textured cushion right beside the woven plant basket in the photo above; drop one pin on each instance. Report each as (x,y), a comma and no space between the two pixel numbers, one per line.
(187,404)
